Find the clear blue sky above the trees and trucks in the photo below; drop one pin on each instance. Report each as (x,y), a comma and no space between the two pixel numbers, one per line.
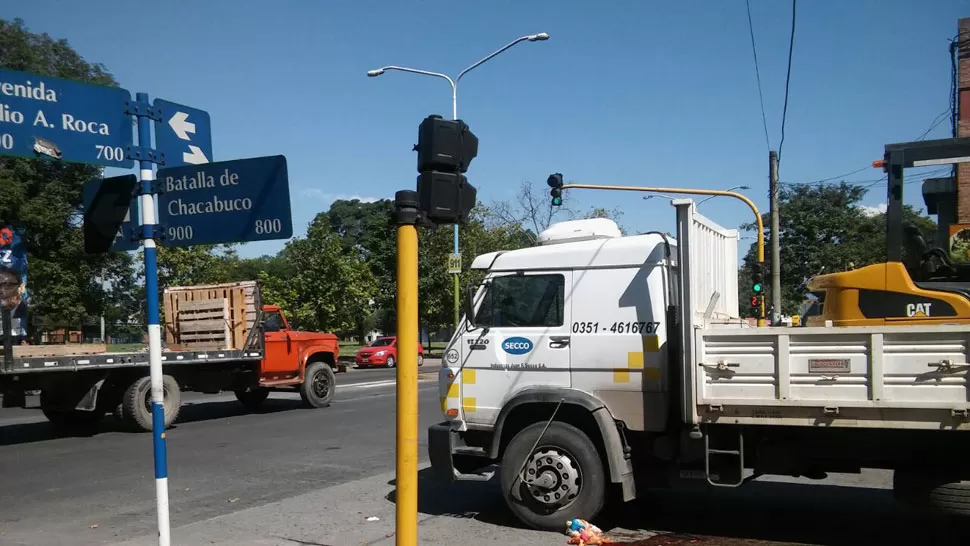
(631,92)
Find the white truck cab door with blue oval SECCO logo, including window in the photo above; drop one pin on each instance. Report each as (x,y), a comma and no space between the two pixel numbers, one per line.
(520,339)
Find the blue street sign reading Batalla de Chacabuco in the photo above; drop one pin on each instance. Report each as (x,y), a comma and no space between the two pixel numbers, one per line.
(225,202)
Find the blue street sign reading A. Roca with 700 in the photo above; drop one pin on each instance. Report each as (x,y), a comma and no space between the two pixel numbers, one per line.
(67,120)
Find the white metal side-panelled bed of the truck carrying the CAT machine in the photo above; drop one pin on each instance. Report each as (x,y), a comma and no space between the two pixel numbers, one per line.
(877,377)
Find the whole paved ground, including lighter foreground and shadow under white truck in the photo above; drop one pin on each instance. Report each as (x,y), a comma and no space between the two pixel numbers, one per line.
(310,474)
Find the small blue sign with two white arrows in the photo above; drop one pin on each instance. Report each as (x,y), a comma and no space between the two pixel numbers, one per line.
(183,134)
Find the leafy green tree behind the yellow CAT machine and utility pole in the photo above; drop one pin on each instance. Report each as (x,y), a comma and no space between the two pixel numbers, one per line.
(823,230)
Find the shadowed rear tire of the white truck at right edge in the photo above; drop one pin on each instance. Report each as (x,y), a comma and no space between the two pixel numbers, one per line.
(939,490)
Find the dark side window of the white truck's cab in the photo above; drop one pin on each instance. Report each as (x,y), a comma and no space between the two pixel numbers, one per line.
(523,301)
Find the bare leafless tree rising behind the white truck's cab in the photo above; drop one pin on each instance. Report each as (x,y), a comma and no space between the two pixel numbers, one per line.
(531,212)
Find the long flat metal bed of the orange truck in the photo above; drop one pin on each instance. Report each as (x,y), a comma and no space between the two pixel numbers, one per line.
(122,360)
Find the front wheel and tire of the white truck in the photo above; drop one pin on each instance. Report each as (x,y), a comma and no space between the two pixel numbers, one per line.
(571,481)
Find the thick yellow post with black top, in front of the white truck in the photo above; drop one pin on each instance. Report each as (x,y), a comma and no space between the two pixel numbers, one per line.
(406,516)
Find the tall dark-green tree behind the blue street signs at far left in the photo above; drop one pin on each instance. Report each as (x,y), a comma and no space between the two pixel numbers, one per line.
(44,198)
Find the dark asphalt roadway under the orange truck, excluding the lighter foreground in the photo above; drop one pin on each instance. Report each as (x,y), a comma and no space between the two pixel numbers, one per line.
(221,460)
